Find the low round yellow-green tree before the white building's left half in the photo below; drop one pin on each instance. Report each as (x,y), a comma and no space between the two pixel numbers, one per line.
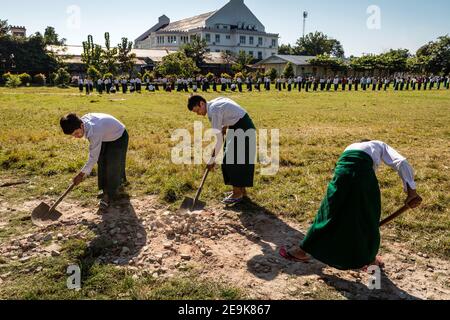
(177,64)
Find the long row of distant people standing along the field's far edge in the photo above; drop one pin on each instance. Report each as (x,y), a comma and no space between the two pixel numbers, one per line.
(249,84)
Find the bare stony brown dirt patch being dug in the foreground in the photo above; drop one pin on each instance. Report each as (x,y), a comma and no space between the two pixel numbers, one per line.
(237,245)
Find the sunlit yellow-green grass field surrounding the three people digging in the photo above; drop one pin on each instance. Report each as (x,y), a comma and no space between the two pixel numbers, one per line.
(315,129)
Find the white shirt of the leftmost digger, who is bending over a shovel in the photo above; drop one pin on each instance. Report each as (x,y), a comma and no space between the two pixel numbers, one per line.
(99,128)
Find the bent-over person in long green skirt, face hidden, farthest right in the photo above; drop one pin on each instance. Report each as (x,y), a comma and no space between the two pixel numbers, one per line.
(346,232)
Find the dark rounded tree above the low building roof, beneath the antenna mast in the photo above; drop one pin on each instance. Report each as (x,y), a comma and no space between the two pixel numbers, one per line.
(317,43)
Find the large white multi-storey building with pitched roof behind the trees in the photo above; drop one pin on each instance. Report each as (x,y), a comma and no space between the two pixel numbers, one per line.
(233,28)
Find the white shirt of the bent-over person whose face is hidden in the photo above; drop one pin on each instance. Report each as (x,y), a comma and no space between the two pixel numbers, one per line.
(381,152)
